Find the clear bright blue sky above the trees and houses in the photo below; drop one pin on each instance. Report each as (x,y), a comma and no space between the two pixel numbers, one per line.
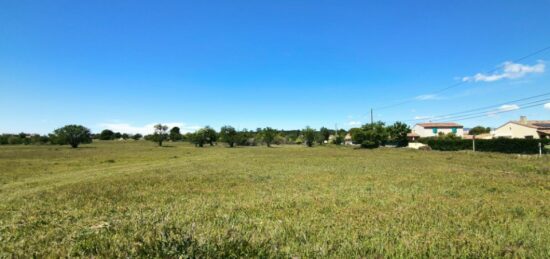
(285,64)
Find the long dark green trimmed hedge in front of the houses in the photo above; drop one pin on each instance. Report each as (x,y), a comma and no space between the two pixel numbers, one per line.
(502,145)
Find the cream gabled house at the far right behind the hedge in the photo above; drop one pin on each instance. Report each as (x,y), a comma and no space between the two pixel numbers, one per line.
(528,129)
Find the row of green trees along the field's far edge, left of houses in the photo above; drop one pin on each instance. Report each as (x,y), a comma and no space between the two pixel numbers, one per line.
(368,136)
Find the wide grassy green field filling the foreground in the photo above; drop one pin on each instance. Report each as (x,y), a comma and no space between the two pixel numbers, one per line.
(135,199)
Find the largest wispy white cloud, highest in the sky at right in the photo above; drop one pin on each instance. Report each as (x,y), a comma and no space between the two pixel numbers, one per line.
(510,70)
